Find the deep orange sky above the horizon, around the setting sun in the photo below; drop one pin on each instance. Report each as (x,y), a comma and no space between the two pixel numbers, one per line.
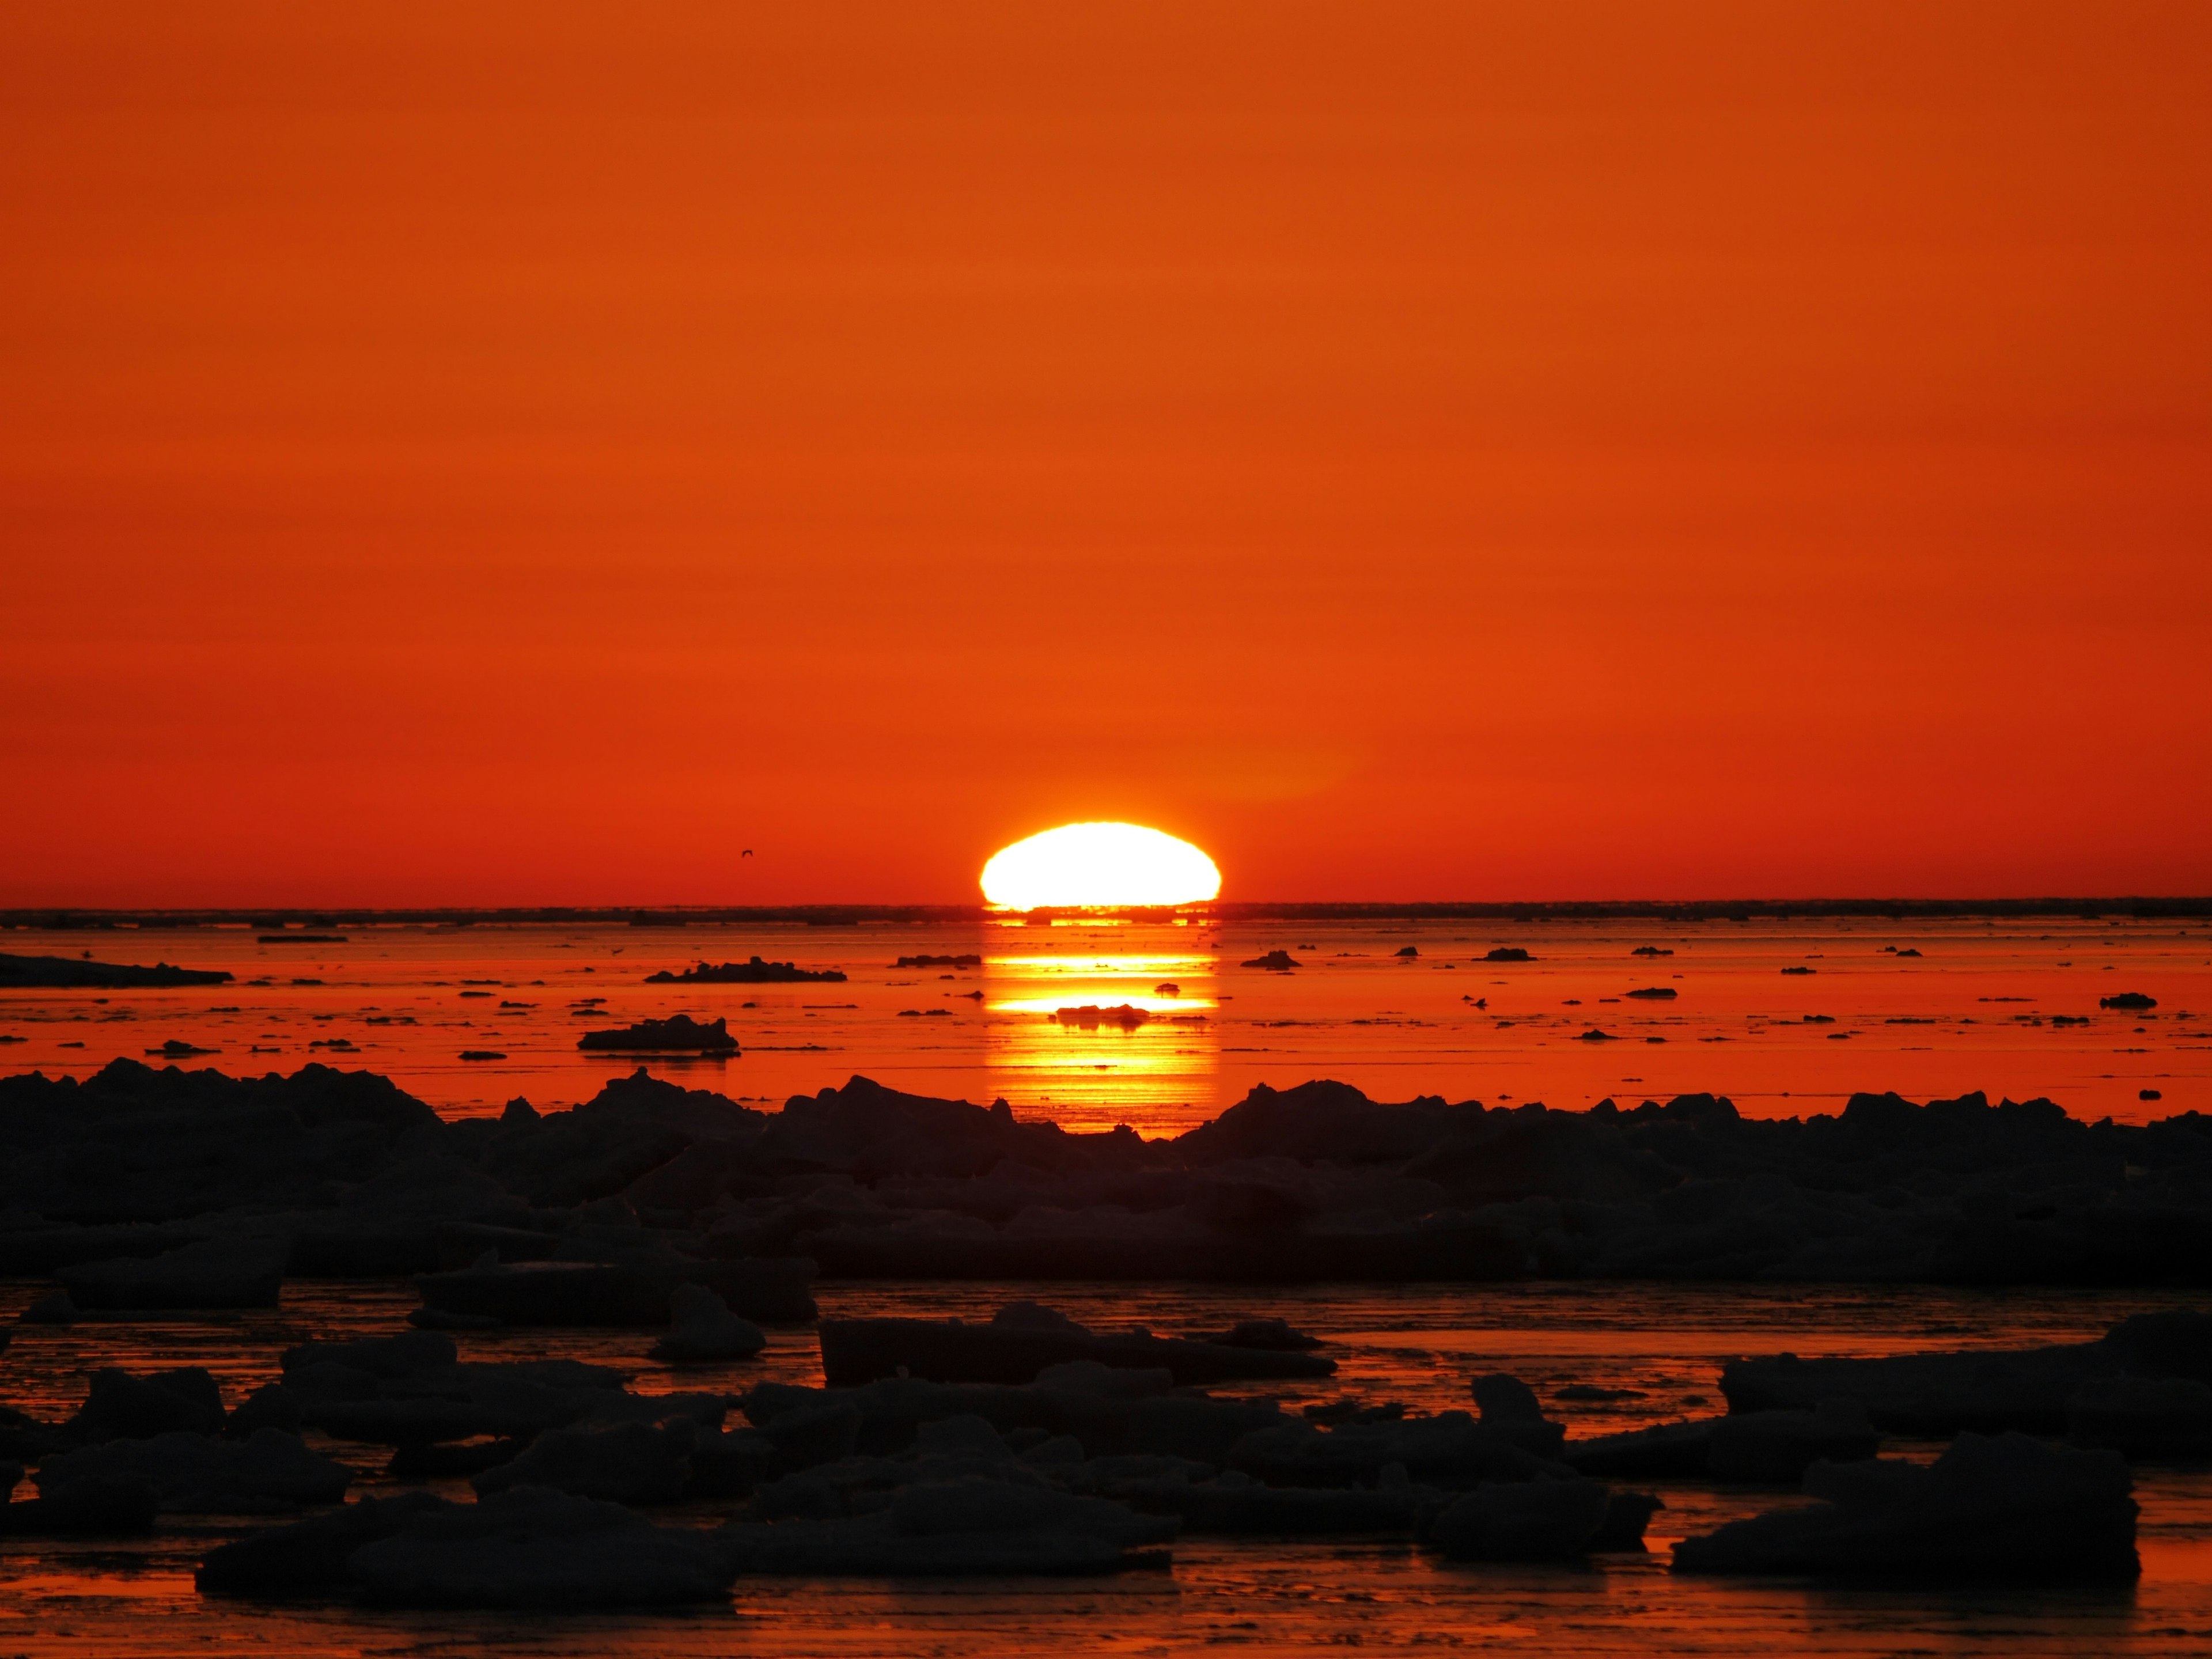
(530,452)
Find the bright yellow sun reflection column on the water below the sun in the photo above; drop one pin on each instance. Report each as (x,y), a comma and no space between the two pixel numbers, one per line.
(1098,1039)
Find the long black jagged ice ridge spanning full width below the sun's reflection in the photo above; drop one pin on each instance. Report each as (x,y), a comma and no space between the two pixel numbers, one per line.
(169,1189)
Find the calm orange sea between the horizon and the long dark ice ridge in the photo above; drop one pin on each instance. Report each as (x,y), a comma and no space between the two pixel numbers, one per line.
(2007,1008)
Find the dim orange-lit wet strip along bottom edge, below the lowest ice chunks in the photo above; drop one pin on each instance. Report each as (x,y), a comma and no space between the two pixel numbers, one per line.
(1222,1596)
